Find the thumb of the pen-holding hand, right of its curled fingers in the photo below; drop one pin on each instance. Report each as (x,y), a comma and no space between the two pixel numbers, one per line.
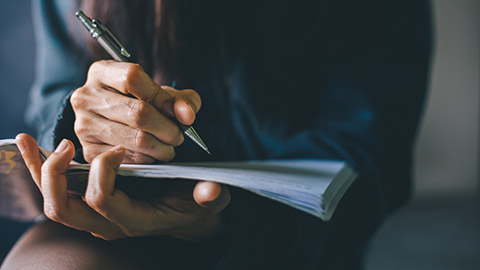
(186,104)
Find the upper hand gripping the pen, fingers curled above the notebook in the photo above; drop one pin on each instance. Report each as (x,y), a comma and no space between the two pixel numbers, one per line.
(142,122)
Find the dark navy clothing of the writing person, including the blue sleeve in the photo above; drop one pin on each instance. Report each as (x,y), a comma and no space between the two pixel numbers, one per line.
(339,79)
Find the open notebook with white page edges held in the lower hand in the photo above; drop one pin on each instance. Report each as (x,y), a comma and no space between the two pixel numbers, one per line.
(313,186)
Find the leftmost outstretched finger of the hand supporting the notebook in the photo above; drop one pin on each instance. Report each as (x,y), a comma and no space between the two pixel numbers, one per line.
(30,152)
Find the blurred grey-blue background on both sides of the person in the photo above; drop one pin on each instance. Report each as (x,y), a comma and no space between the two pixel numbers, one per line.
(439,228)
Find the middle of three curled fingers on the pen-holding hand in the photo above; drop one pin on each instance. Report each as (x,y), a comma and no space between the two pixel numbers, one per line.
(129,111)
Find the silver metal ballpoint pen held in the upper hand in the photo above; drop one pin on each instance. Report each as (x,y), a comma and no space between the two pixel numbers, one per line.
(108,41)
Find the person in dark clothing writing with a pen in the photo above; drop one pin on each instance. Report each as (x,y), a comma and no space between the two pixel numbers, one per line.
(272,80)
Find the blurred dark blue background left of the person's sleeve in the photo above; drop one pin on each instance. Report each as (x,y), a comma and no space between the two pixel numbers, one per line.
(17,64)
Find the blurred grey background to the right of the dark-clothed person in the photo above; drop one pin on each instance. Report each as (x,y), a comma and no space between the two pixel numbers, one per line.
(440,227)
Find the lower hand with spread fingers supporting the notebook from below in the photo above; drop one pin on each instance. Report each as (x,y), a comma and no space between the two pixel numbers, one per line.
(109,213)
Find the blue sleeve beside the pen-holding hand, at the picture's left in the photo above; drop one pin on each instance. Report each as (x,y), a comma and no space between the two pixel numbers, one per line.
(60,68)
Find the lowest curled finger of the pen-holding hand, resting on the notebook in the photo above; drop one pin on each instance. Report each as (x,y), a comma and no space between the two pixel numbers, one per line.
(102,131)
